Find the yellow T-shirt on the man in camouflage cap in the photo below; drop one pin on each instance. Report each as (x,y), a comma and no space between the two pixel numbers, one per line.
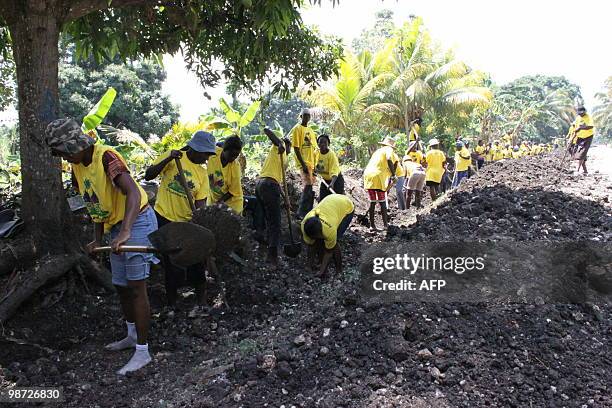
(104,201)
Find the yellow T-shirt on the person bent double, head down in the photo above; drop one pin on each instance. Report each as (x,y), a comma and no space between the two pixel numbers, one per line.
(331,211)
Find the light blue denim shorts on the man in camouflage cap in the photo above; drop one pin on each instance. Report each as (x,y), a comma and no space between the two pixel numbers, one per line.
(134,266)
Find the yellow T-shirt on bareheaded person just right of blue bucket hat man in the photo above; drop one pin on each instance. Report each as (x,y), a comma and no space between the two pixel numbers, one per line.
(225,180)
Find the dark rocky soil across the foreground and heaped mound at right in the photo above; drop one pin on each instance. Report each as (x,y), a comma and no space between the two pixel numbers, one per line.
(293,340)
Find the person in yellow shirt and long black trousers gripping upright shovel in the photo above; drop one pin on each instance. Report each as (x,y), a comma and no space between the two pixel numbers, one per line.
(269,195)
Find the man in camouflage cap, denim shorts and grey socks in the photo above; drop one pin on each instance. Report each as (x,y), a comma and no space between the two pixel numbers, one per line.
(117,204)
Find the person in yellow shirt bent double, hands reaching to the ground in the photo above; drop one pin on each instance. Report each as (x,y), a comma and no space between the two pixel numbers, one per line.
(323,226)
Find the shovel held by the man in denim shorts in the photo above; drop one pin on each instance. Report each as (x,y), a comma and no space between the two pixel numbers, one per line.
(184,243)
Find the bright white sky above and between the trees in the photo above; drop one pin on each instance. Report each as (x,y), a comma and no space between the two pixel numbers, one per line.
(508,39)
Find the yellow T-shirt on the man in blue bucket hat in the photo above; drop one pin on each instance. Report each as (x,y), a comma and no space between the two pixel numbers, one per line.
(172,202)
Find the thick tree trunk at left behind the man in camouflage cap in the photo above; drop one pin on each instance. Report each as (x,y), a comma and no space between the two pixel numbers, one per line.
(35,32)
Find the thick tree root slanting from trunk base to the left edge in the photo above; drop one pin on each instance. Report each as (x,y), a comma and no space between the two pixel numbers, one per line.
(46,269)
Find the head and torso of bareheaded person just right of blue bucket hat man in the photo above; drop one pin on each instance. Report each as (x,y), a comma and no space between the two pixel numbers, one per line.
(224,175)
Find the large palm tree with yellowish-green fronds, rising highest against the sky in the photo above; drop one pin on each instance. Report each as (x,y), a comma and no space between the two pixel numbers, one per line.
(422,79)
